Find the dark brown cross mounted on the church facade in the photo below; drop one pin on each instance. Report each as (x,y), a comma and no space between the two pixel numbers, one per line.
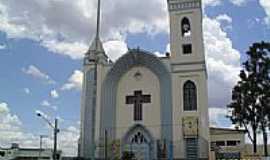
(138,99)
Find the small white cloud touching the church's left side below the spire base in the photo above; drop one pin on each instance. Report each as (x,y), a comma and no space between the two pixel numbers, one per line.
(74,81)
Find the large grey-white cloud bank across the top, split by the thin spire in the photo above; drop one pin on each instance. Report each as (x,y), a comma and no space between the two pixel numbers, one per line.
(67,32)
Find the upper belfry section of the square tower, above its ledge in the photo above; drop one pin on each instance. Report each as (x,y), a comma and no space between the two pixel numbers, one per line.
(186,31)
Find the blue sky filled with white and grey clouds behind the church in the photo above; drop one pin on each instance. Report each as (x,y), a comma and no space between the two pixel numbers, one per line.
(42,43)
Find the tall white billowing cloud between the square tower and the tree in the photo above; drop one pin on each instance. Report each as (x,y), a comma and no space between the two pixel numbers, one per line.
(223,63)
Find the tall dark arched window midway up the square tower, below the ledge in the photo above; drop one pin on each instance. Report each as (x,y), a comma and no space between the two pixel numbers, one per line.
(190,96)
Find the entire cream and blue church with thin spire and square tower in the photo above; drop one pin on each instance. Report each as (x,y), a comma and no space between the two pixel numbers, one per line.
(146,106)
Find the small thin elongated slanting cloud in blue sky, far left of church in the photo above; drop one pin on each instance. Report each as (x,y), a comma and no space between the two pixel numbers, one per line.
(36,73)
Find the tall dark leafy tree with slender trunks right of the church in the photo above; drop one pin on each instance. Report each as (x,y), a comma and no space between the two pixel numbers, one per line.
(250,97)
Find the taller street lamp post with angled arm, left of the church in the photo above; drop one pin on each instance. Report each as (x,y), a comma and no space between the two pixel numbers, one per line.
(55,131)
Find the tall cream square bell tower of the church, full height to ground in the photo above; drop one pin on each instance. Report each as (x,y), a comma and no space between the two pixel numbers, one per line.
(189,80)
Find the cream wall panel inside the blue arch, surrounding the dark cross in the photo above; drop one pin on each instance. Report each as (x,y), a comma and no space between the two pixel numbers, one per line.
(149,84)
